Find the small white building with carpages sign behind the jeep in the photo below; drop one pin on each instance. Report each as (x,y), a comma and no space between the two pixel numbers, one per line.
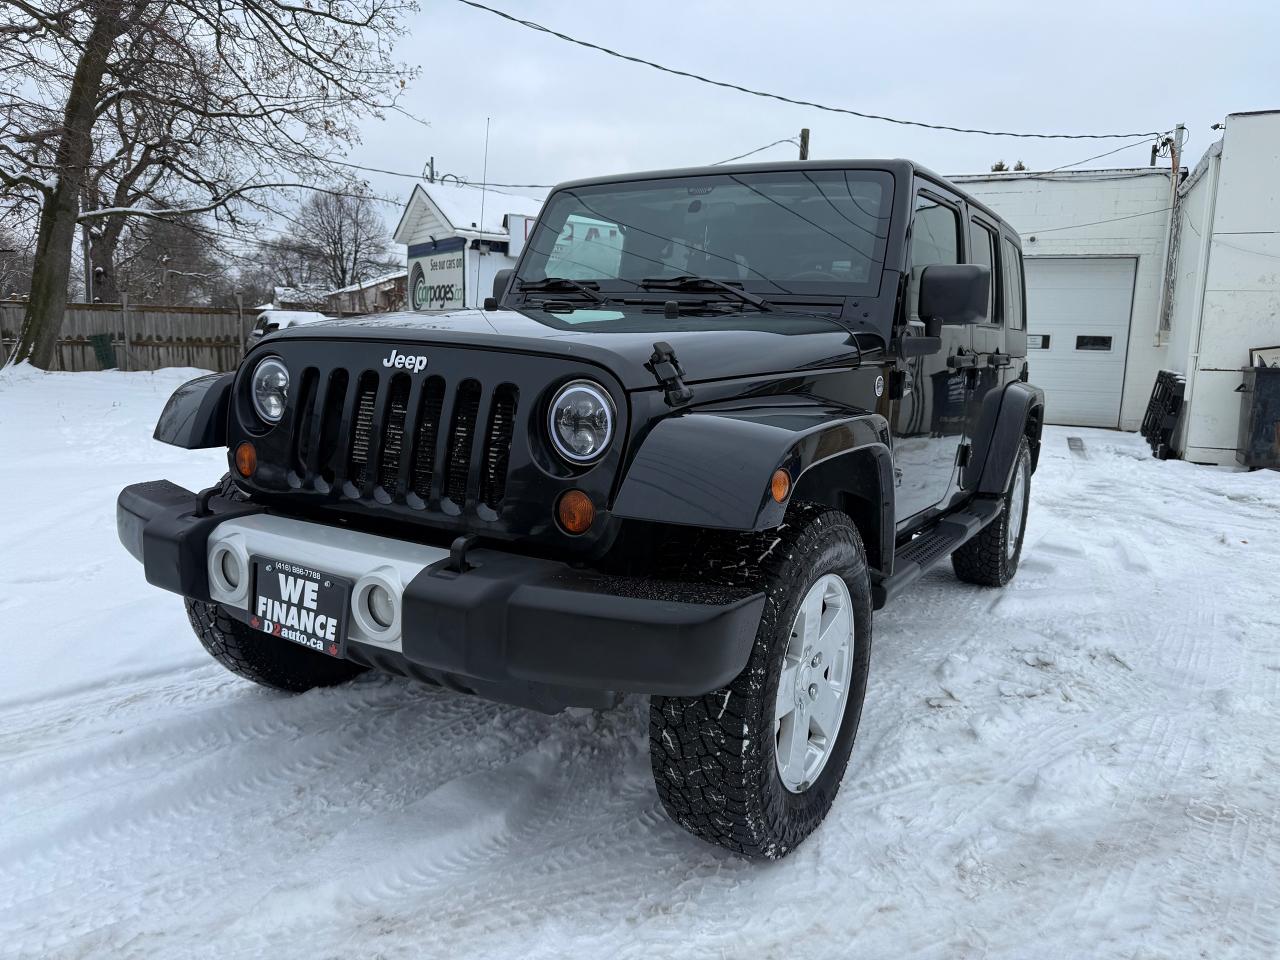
(459,237)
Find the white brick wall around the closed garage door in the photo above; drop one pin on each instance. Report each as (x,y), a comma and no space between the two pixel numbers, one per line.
(1039,204)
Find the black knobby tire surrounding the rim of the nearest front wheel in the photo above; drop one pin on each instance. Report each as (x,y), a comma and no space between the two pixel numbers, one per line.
(714,756)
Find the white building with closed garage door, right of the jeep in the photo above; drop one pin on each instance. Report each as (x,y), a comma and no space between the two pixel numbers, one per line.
(1135,271)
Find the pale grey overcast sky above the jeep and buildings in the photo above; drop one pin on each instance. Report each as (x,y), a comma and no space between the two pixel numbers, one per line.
(560,112)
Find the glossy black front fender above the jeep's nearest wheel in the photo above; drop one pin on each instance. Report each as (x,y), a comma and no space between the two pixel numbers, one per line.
(712,468)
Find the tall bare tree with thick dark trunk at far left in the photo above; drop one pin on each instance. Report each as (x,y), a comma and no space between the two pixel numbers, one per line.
(121,109)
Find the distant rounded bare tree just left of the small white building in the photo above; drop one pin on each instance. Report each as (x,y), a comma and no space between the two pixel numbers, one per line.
(344,236)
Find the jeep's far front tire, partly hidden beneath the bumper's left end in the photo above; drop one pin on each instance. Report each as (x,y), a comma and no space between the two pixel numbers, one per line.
(257,656)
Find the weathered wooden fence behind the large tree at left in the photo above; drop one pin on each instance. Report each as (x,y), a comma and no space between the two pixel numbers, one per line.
(145,336)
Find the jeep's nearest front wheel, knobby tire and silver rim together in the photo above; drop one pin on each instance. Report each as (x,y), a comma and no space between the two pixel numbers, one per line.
(756,766)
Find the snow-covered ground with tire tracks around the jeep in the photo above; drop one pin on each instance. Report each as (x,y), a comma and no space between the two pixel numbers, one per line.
(1085,765)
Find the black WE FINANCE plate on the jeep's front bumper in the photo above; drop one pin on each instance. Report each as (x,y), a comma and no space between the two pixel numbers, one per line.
(301,605)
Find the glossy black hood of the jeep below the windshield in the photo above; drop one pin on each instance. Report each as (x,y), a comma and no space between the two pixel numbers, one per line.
(618,339)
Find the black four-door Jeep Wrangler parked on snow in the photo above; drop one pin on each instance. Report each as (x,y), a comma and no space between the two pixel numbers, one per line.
(711,420)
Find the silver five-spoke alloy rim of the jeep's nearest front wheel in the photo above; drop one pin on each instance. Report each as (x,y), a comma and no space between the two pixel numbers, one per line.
(813,688)
